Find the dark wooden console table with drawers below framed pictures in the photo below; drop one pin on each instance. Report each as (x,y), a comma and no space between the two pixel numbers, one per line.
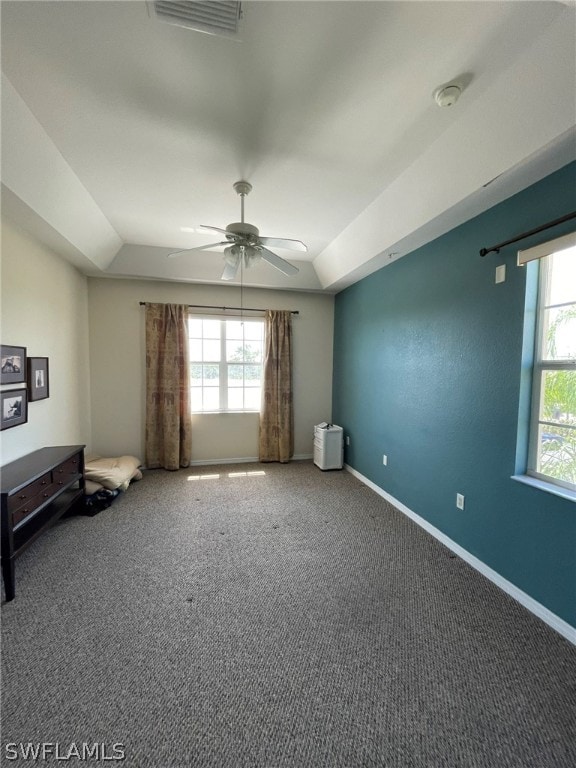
(37,490)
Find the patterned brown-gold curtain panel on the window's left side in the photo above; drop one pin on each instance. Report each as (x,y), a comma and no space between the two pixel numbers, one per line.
(168,417)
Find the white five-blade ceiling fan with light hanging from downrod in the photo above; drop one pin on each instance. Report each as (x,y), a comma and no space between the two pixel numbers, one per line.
(245,245)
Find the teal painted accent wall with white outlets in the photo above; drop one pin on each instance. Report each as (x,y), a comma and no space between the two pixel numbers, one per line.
(428,360)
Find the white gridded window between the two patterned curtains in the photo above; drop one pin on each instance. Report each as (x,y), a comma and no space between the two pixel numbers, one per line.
(225,363)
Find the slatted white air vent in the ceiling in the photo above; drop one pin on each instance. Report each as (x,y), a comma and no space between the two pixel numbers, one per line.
(215,18)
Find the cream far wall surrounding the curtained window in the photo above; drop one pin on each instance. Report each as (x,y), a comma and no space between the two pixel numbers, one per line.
(118,373)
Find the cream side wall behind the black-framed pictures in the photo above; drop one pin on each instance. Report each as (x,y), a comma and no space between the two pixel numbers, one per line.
(44,308)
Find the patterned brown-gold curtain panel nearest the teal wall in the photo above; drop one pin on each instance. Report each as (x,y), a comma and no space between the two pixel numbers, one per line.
(276,413)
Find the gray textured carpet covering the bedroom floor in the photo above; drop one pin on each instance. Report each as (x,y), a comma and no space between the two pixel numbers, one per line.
(274,616)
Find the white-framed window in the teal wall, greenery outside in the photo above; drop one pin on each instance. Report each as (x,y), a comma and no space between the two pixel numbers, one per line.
(552,449)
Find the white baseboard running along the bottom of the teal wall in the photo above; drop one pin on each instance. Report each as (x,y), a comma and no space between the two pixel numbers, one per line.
(539,610)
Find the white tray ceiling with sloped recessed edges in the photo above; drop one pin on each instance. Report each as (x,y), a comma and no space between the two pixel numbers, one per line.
(119,131)
